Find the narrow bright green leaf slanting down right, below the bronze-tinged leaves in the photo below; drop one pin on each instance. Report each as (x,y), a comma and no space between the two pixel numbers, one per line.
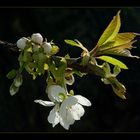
(113,61)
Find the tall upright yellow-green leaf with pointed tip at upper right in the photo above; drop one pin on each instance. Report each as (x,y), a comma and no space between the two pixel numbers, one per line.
(111,31)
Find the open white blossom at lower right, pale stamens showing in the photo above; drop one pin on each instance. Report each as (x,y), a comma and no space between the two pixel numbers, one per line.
(71,109)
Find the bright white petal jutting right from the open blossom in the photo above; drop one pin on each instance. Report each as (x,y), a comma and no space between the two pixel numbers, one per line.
(82,100)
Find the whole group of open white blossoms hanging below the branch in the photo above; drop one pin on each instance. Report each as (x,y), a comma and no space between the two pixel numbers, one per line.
(67,111)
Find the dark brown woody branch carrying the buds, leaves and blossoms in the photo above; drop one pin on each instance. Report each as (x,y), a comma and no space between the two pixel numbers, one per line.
(74,63)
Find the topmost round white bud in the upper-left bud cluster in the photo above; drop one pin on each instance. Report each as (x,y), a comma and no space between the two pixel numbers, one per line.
(37,38)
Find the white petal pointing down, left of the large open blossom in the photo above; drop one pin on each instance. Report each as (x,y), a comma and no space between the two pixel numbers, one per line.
(54,116)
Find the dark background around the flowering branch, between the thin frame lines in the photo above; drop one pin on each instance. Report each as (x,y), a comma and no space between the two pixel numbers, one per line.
(108,113)
